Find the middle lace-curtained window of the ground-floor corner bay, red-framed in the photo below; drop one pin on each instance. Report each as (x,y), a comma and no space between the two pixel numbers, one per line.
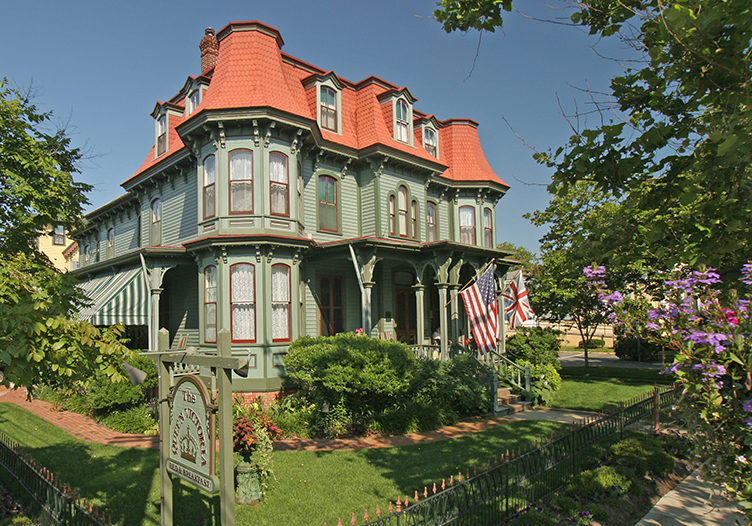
(243,302)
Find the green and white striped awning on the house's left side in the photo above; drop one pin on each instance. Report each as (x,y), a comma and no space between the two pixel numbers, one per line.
(117,298)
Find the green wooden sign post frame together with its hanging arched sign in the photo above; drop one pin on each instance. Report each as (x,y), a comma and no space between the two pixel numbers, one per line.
(186,426)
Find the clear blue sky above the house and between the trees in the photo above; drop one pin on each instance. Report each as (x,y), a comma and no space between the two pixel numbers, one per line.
(101,66)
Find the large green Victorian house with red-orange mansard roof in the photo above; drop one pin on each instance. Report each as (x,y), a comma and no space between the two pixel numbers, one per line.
(281,200)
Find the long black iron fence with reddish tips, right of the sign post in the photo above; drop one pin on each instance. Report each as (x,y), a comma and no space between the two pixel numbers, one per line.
(518,479)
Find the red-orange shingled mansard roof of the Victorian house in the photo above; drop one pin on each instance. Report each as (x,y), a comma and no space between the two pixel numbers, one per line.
(252,72)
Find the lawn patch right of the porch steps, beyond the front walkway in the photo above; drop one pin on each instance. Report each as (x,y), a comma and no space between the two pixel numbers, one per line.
(602,388)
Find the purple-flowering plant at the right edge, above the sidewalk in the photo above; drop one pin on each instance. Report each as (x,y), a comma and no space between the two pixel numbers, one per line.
(712,335)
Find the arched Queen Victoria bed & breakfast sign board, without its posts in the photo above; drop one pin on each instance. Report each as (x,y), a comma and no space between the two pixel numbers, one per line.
(191,439)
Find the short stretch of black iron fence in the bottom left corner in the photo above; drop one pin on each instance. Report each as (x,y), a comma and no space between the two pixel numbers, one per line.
(41,494)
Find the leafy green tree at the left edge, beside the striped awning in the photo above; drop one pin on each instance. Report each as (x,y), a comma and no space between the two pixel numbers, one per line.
(39,342)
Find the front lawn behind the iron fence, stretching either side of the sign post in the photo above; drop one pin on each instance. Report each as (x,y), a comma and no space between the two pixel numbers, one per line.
(311,487)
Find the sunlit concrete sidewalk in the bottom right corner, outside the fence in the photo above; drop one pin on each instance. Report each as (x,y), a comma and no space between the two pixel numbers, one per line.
(687,505)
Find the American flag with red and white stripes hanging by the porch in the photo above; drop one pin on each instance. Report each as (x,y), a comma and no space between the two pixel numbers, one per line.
(483,311)
